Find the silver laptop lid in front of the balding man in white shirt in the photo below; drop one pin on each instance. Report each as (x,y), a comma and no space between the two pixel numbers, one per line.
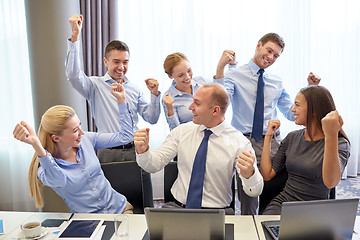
(181,223)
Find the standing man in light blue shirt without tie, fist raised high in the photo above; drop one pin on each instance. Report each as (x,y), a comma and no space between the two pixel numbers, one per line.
(97,91)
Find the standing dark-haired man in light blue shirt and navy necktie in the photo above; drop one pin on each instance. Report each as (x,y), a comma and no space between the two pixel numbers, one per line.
(241,84)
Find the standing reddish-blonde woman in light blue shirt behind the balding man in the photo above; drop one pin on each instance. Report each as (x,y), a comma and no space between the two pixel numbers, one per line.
(179,96)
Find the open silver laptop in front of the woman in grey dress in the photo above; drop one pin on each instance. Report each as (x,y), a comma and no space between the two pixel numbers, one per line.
(320,219)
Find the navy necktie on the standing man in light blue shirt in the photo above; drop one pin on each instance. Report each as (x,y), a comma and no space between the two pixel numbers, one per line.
(258,122)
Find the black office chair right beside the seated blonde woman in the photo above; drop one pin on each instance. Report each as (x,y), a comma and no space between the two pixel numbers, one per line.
(126,178)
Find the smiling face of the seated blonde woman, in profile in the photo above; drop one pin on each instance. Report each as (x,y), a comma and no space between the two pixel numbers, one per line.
(71,135)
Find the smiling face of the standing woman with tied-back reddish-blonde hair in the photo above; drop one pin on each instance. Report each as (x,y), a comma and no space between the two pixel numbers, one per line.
(182,74)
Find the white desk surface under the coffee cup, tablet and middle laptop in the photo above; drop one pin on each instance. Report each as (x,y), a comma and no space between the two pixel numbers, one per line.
(244,227)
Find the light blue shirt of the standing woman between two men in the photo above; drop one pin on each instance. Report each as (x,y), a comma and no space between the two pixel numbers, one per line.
(182,101)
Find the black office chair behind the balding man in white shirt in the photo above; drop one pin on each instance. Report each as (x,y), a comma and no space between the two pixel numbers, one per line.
(170,175)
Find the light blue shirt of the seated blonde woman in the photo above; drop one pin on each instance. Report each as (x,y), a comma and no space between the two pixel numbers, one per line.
(83,185)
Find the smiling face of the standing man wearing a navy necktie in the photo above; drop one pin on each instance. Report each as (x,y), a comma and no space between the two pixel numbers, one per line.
(266,54)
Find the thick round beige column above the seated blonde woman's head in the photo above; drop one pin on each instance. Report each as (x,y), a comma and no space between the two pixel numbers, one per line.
(48,30)
